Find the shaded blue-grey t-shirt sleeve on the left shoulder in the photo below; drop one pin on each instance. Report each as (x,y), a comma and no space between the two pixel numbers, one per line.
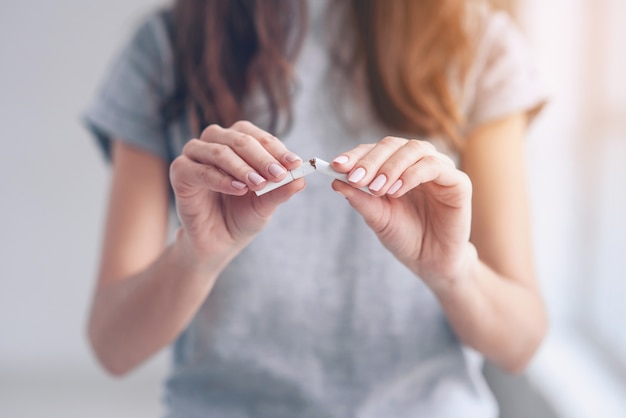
(129,103)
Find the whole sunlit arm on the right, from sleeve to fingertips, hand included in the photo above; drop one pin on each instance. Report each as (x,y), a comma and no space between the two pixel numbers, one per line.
(486,286)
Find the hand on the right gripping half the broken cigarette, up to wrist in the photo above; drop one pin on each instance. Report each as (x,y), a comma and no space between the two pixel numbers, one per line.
(422,212)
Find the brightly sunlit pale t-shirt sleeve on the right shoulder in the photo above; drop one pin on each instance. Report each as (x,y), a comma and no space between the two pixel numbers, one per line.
(505,79)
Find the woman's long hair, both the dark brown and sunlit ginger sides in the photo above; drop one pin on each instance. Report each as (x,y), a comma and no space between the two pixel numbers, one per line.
(409,50)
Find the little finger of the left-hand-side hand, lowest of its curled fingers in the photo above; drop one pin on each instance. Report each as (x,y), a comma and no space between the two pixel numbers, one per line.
(187,176)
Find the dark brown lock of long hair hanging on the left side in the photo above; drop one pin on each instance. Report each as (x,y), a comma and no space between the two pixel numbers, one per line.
(224,49)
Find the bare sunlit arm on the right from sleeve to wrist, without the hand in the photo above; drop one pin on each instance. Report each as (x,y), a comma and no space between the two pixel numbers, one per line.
(498,309)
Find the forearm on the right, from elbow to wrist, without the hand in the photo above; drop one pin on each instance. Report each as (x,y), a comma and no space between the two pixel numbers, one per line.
(495,315)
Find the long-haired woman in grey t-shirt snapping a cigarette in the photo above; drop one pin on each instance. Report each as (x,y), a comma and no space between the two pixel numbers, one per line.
(296,302)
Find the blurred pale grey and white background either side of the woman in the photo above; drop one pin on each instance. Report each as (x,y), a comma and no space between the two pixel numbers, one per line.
(53,188)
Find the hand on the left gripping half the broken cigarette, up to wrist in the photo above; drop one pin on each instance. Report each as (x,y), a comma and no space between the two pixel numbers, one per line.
(213,180)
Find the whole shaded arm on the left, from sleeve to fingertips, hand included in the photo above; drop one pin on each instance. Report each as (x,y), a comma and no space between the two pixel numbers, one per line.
(147,294)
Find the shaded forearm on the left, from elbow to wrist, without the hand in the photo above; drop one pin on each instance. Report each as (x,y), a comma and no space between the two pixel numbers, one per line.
(134,317)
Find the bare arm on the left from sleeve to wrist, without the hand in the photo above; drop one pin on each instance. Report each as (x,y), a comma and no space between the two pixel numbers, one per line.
(145,294)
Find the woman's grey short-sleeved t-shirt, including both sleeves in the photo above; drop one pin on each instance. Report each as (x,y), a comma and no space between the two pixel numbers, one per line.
(315,318)
